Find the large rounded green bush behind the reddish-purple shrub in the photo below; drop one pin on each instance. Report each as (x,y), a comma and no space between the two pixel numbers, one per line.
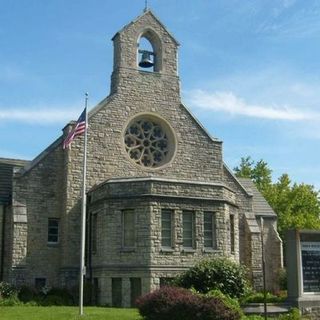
(220,273)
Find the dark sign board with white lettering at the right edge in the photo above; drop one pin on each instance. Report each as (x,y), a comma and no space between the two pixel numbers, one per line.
(310,258)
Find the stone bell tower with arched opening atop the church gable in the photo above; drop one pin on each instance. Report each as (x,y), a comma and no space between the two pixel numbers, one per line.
(145,51)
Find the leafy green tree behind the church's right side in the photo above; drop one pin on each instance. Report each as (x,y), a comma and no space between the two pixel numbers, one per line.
(297,205)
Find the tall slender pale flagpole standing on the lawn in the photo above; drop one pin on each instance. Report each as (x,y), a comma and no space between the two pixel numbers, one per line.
(83,214)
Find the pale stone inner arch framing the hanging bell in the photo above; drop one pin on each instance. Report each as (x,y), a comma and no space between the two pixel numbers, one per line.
(155,41)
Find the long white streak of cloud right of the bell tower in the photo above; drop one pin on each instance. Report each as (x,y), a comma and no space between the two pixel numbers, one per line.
(228,102)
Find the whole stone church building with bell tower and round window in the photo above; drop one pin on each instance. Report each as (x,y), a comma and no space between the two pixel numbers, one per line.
(159,196)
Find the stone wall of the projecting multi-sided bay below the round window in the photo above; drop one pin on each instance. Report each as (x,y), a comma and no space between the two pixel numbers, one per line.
(149,261)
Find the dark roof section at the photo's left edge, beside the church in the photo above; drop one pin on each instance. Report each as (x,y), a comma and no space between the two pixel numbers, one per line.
(6,172)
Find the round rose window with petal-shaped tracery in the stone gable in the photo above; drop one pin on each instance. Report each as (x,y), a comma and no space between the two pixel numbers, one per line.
(149,141)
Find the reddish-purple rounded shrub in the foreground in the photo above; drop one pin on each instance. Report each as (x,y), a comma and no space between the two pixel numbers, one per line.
(171,303)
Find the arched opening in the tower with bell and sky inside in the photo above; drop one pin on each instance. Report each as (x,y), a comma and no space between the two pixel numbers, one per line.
(149,53)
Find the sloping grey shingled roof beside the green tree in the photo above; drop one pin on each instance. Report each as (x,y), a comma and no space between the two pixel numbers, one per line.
(260,205)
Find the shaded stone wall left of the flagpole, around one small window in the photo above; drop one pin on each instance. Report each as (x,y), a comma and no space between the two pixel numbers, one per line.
(37,196)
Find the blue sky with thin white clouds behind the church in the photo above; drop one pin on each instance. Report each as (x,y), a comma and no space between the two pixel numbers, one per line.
(249,69)
